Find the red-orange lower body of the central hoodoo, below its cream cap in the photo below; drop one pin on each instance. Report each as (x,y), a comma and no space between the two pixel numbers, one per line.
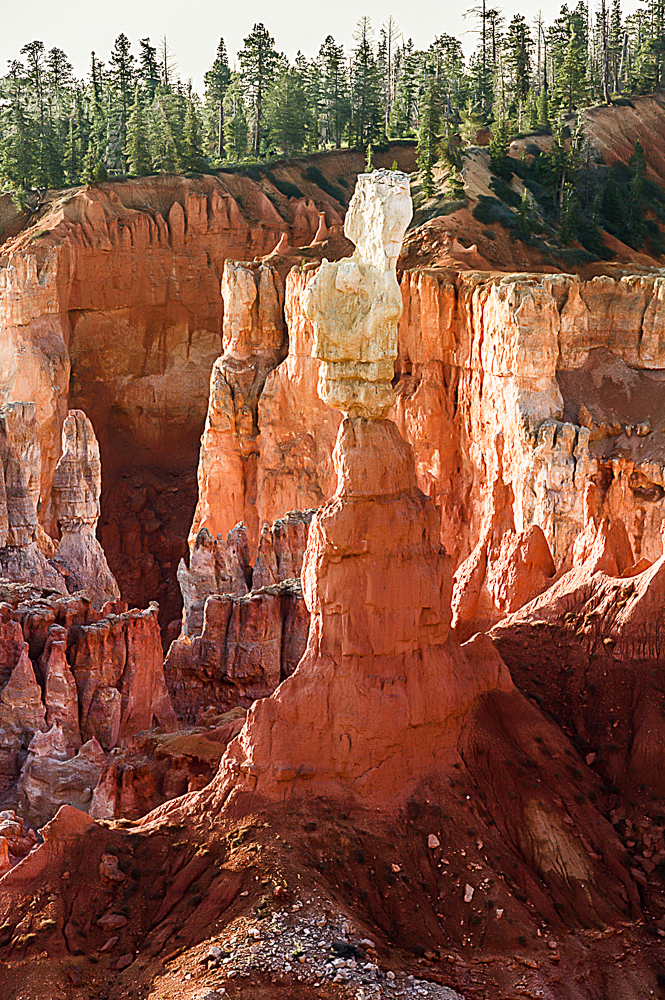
(379,662)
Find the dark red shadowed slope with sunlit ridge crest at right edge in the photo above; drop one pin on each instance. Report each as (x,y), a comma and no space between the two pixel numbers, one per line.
(595,639)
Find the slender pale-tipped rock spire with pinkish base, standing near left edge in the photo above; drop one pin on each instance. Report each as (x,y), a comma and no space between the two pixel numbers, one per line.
(75,498)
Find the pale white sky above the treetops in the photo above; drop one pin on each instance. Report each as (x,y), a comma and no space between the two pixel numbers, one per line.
(193,29)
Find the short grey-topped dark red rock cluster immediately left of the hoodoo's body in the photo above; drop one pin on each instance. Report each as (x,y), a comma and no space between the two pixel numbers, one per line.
(244,628)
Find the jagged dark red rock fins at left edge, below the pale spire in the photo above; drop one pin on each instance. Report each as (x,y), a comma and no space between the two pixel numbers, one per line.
(61,661)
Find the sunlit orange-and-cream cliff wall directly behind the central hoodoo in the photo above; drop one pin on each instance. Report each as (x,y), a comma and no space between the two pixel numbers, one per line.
(515,391)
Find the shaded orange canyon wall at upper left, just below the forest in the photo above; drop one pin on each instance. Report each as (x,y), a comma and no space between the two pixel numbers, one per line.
(110,303)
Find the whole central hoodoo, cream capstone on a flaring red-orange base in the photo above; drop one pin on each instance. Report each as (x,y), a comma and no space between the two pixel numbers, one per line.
(383,688)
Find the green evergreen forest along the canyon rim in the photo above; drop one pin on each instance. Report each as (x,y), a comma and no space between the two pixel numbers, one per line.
(133,115)
